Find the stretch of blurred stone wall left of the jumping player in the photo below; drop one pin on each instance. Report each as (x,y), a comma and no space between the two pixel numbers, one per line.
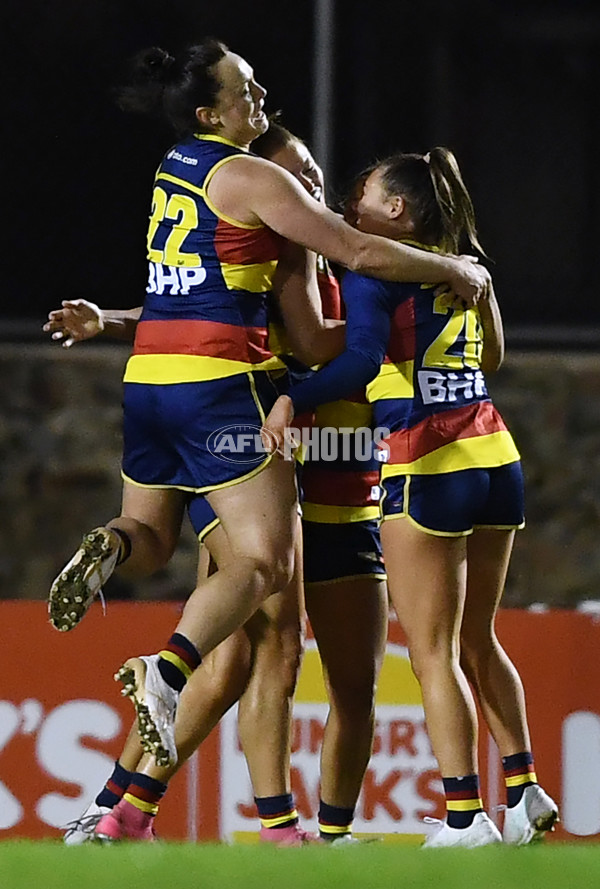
(60,451)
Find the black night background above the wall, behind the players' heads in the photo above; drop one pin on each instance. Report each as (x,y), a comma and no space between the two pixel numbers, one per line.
(511,87)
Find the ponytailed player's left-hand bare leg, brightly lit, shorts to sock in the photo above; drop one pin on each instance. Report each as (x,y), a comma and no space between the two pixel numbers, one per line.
(427,583)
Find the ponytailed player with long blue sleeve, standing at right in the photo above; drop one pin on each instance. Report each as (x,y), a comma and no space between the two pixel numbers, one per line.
(452,488)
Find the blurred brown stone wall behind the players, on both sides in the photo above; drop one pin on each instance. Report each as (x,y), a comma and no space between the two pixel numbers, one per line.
(60,420)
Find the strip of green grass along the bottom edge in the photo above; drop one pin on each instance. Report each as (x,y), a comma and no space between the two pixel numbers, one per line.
(50,865)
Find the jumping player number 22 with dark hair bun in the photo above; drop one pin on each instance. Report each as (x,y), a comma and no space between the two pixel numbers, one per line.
(201,360)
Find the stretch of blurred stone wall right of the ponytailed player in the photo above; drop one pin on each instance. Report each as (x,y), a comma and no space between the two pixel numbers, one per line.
(551,403)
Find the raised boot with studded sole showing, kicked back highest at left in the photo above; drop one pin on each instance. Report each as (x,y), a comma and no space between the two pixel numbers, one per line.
(81,580)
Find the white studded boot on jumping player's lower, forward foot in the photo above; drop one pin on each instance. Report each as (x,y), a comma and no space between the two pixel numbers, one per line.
(155,703)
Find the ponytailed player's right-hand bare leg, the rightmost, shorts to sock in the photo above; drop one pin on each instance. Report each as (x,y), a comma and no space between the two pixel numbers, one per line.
(492,674)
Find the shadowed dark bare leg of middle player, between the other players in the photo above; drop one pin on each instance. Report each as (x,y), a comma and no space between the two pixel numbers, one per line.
(349,620)
